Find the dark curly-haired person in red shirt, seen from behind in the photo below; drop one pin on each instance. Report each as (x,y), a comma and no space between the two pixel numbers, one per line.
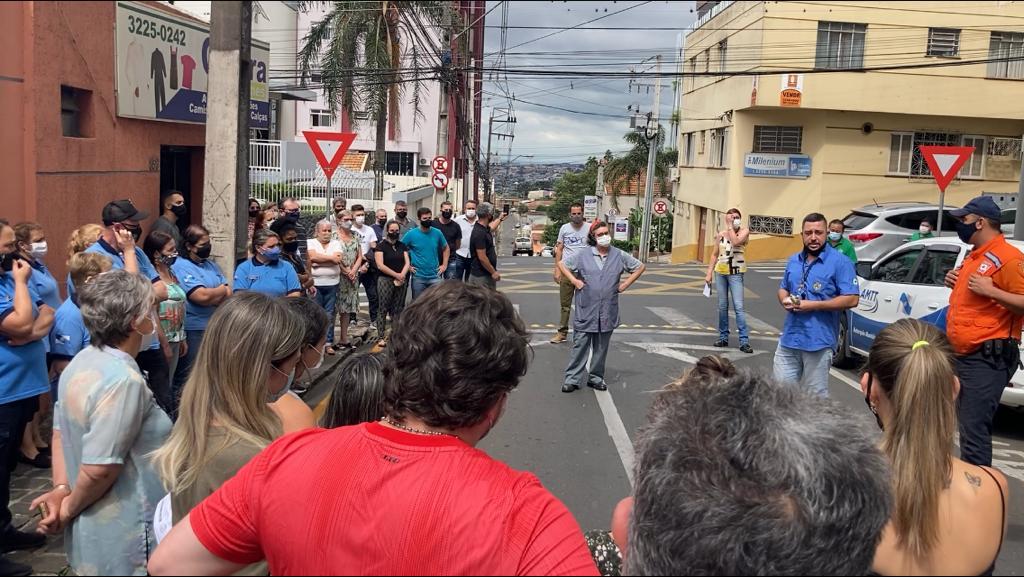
(409,494)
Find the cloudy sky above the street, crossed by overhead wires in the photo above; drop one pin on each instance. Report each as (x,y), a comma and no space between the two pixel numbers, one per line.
(554,136)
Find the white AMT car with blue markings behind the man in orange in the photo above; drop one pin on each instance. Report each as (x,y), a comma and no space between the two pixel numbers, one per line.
(909,282)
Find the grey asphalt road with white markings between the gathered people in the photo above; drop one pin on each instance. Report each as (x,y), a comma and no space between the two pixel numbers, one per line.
(580,445)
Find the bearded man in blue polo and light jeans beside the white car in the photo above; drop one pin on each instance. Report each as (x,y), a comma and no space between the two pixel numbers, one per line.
(820,283)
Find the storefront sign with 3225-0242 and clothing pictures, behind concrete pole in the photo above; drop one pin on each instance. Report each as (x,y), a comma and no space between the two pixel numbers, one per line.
(163,62)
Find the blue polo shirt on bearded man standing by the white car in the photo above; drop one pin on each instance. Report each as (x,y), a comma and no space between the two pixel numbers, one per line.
(826,278)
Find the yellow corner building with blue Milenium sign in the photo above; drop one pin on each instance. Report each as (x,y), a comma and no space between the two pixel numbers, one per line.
(843,96)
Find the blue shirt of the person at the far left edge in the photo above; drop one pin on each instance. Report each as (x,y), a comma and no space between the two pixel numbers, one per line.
(23,369)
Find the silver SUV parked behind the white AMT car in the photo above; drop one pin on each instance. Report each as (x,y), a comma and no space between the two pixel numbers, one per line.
(878,229)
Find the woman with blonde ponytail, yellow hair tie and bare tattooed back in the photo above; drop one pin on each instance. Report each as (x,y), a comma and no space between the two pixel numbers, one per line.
(950,517)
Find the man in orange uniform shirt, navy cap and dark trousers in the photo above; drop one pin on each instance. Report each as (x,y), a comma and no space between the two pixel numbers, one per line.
(985,323)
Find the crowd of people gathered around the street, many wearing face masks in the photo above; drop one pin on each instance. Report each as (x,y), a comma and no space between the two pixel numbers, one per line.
(168,393)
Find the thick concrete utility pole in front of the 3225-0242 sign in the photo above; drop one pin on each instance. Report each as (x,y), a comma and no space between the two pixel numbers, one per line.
(226,189)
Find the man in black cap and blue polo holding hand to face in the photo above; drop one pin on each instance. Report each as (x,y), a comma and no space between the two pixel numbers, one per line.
(122,230)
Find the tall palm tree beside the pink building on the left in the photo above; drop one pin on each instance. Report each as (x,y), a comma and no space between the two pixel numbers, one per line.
(370,56)
